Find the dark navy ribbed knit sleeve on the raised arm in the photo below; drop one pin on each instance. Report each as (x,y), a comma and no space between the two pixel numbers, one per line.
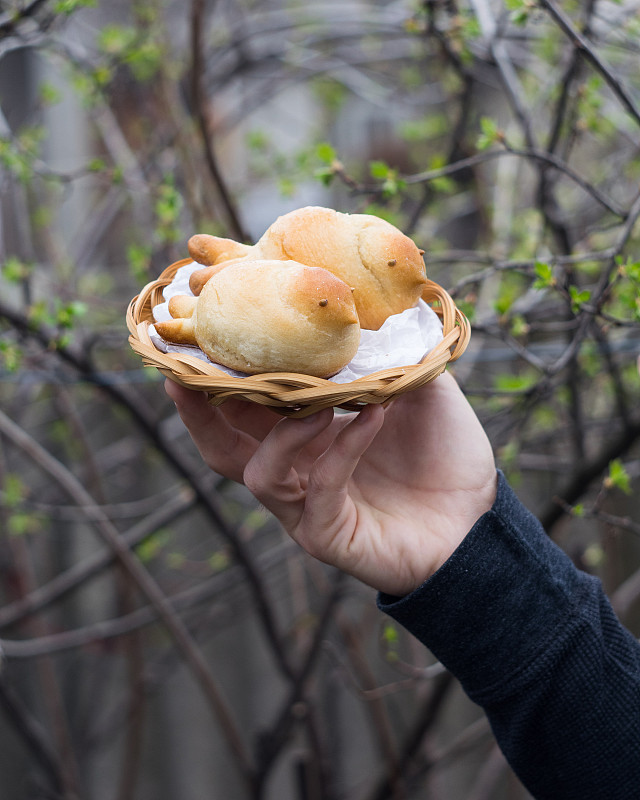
(535,642)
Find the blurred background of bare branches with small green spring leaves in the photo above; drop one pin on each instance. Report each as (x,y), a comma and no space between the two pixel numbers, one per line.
(162,637)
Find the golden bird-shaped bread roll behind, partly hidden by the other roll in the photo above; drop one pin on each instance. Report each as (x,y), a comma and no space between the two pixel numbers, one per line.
(384,267)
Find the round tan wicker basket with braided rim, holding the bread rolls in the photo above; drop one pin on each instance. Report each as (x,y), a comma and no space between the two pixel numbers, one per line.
(292,394)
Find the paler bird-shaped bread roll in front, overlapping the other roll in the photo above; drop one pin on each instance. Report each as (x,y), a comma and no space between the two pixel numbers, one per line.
(269,316)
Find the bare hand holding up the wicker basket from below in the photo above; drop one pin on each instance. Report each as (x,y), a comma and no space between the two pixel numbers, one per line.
(385,494)
